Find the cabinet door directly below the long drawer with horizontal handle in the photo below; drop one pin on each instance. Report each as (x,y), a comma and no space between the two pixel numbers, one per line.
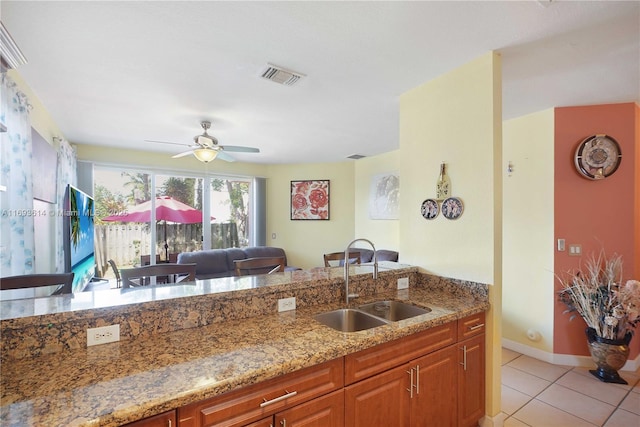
(325,411)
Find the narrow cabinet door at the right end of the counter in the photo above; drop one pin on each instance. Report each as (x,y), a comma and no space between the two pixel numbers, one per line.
(471,381)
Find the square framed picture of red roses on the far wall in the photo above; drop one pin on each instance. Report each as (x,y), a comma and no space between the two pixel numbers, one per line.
(310,199)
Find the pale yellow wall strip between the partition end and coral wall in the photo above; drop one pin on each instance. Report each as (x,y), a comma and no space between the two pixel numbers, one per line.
(528,230)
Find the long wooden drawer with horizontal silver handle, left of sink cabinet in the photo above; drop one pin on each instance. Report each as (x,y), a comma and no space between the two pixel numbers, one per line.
(257,401)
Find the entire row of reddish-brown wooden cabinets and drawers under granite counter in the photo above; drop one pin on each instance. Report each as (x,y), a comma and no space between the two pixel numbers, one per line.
(432,378)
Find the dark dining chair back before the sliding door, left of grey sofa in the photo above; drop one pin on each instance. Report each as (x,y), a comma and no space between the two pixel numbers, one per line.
(164,273)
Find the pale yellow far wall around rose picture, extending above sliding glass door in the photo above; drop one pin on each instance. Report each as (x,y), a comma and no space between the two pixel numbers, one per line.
(304,241)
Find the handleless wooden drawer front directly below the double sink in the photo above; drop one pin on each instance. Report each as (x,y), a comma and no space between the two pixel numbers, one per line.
(389,355)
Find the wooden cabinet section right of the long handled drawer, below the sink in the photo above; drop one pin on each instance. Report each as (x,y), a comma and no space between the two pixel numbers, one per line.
(426,379)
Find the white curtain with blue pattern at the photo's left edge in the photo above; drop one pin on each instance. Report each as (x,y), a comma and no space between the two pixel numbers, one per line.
(16,199)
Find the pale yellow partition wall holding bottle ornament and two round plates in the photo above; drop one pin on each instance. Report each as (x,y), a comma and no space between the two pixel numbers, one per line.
(456,118)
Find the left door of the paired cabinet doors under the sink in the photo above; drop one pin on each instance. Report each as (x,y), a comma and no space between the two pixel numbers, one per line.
(381,400)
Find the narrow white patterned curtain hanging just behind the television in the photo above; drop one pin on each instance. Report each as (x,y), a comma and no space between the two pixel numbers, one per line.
(67,167)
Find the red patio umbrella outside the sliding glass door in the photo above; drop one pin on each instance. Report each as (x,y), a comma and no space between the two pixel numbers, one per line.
(167,209)
